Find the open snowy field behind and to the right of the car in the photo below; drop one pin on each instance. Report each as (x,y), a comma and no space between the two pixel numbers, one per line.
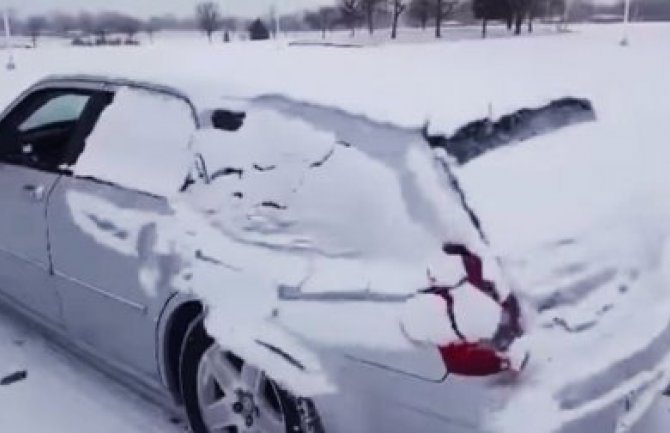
(585,202)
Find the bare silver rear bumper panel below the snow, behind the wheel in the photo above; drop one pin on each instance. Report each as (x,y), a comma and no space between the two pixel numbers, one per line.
(385,400)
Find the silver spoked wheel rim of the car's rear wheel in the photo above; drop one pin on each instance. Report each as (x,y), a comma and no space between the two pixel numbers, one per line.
(236,397)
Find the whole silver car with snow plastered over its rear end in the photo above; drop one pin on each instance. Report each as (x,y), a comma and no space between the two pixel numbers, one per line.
(265,264)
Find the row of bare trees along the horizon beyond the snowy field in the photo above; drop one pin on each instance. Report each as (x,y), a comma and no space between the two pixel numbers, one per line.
(351,15)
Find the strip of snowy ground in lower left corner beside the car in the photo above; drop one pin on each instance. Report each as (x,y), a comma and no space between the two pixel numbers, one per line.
(63,394)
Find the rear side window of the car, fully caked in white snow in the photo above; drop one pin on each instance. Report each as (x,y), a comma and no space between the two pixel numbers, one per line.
(141,142)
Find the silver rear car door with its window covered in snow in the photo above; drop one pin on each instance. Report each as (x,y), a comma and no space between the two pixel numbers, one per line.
(104,220)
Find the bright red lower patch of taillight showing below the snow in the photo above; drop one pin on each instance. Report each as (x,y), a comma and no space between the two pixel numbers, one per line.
(473,359)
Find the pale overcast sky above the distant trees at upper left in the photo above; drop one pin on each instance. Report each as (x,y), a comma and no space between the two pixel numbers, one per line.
(146,8)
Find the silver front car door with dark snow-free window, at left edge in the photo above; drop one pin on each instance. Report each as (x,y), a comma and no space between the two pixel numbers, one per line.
(35,134)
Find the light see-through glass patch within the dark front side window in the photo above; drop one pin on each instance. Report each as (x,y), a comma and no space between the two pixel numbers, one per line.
(63,108)
